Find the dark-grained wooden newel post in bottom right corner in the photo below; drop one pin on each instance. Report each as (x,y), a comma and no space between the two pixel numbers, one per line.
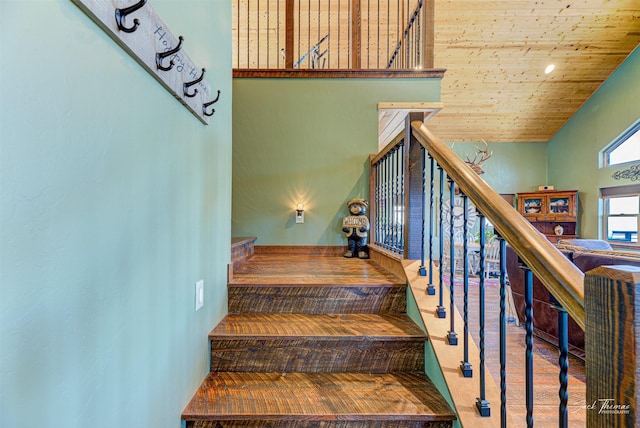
(612,345)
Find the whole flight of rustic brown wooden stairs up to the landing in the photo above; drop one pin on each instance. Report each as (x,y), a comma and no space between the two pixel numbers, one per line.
(316,341)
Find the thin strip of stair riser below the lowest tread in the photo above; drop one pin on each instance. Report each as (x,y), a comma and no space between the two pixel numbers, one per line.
(319,424)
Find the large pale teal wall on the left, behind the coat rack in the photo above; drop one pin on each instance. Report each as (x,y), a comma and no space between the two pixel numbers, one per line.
(115,200)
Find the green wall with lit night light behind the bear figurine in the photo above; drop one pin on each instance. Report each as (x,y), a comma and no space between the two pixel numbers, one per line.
(308,141)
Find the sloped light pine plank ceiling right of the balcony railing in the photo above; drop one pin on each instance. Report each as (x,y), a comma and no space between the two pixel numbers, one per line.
(495,53)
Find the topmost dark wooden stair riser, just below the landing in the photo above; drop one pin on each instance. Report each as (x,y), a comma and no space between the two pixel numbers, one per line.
(317,299)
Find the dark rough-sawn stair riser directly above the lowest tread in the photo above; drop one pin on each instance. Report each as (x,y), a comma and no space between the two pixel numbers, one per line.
(317,355)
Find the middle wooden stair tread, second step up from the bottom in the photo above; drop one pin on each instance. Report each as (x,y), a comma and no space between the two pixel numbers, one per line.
(342,326)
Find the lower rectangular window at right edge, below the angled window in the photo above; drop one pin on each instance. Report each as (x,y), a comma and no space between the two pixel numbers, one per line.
(621,213)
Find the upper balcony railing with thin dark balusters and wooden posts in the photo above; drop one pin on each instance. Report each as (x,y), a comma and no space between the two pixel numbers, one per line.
(333,34)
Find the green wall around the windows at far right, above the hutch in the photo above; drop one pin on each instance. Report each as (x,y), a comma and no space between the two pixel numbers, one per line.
(574,151)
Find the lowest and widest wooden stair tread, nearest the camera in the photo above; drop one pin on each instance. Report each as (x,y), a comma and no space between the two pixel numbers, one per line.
(317,396)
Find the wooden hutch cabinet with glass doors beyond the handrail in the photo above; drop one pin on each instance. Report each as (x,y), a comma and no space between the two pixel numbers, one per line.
(552,212)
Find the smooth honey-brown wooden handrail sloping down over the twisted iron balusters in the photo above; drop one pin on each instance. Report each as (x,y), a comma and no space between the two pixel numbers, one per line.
(559,275)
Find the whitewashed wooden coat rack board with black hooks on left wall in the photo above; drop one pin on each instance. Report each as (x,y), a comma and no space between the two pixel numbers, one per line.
(138,29)
